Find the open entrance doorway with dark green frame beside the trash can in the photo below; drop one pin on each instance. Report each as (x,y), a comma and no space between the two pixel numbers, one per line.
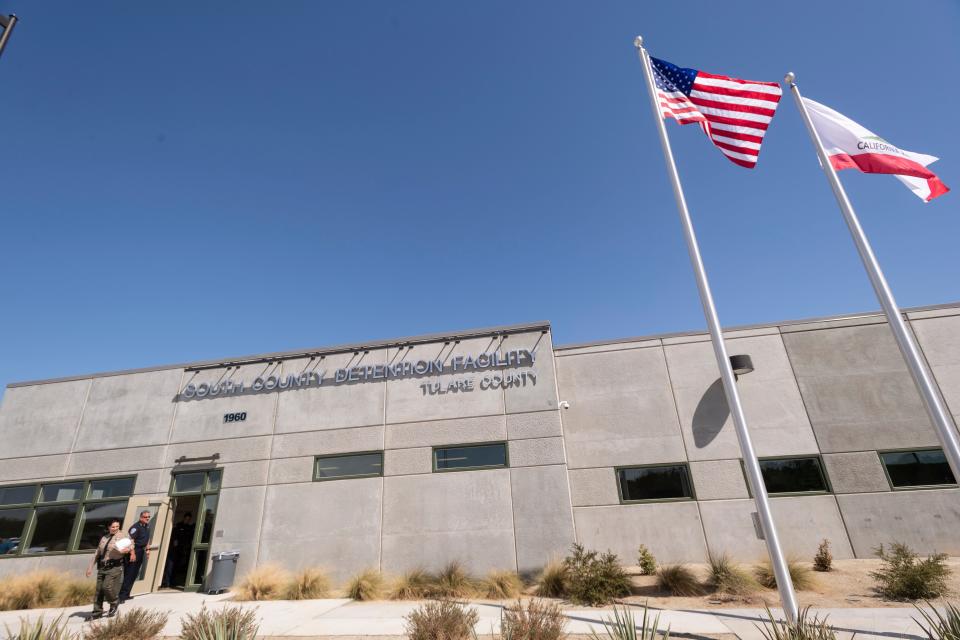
(198,493)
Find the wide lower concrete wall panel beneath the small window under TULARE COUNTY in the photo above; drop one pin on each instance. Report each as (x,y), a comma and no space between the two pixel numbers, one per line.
(434,519)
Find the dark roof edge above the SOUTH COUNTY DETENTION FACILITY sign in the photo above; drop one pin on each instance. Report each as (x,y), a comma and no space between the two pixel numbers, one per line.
(301,353)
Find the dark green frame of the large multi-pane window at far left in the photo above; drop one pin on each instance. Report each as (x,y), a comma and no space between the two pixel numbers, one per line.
(73,539)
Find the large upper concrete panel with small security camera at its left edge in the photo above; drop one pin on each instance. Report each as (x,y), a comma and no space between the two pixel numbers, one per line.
(621,409)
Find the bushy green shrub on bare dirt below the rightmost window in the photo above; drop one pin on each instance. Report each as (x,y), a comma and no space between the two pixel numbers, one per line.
(904,576)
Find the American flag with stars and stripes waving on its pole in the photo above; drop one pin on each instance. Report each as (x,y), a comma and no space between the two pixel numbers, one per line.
(733,113)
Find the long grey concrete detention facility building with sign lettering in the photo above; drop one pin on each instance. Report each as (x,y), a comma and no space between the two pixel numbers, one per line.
(492,447)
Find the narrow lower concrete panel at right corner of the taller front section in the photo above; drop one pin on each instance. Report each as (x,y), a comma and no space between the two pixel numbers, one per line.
(542,517)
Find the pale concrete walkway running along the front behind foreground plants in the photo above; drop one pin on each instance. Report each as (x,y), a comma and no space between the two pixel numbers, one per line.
(341,617)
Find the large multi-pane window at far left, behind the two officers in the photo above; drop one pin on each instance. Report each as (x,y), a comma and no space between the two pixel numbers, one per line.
(59,517)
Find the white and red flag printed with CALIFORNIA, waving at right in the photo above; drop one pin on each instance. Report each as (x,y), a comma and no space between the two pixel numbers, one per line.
(850,146)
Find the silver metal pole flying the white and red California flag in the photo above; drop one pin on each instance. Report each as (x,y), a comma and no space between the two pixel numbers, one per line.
(908,348)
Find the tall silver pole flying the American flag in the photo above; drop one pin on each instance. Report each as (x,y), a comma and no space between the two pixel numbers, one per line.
(785,586)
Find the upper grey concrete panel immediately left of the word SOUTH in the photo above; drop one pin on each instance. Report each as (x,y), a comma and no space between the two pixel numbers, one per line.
(129,411)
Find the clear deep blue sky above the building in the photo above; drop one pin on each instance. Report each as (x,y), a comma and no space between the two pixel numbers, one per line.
(222,179)
